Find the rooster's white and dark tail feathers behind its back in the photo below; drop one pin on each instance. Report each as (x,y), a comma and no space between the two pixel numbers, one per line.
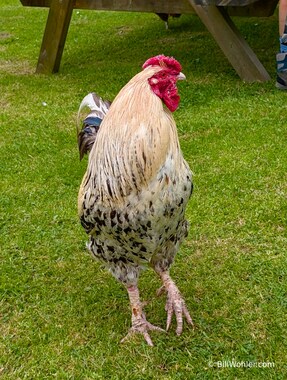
(95,110)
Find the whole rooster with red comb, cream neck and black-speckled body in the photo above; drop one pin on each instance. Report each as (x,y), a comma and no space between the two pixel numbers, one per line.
(134,193)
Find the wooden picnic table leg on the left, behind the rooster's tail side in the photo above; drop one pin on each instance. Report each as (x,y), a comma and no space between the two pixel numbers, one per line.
(55,36)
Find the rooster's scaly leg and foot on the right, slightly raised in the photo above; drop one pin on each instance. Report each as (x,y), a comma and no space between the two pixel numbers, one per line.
(175,303)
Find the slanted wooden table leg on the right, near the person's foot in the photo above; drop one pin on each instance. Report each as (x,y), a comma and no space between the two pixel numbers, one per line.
(233,45)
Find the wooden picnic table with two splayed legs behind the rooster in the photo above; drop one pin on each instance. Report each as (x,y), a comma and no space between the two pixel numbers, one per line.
(215,14)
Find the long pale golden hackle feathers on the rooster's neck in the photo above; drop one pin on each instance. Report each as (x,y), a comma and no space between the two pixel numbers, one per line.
(133,142)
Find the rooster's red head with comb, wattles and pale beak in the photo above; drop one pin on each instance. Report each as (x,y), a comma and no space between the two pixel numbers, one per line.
(163,82)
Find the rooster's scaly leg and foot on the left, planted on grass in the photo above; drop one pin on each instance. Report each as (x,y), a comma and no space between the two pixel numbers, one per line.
(139,323)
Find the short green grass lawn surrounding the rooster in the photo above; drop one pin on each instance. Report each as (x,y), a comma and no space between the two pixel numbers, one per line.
(62,315)
